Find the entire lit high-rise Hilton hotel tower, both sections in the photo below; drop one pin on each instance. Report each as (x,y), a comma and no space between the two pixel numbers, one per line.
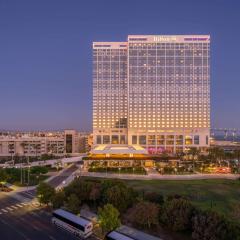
(153,91)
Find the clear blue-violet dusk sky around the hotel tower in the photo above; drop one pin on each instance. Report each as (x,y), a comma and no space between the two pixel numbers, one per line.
(46,63)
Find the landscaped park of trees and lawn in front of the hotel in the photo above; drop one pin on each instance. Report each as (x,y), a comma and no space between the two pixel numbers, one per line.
(200,209)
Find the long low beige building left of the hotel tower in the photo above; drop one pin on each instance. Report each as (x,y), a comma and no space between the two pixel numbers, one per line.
(68,142)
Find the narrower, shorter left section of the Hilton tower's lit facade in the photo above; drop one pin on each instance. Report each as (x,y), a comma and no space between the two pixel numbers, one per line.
(109,91)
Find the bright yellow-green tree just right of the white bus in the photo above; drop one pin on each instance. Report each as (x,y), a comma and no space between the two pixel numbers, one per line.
(108,218)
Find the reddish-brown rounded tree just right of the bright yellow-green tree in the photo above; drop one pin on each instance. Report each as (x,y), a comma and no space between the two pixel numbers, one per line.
(144,214)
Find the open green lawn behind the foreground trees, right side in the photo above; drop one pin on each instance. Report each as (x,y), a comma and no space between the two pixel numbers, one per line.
(219,194)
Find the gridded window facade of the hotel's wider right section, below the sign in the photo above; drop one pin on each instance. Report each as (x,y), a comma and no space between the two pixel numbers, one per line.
(168,84)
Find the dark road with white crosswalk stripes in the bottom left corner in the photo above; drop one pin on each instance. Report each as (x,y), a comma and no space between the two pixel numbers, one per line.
(25,220)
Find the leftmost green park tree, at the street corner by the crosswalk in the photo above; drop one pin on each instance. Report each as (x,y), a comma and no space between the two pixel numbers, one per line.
(45,193)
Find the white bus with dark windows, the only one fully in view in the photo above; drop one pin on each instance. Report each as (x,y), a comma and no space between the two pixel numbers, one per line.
(78,226)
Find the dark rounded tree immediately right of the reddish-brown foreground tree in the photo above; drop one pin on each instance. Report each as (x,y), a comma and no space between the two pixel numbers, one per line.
(177,214)
